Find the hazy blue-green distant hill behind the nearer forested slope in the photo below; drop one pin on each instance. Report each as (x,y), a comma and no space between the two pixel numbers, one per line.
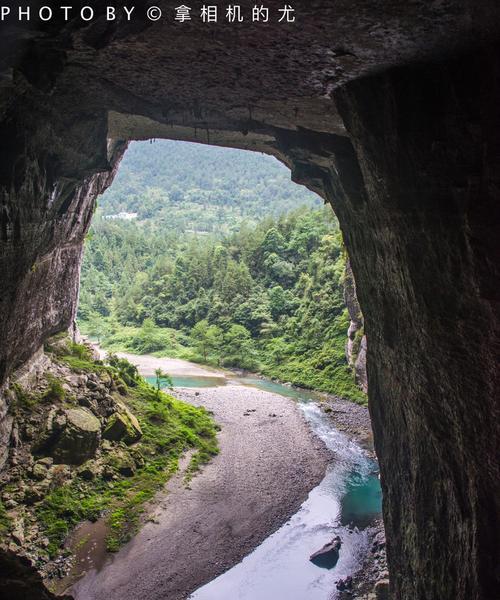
(192,187)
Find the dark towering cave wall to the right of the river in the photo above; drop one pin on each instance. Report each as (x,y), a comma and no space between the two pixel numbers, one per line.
(425,249)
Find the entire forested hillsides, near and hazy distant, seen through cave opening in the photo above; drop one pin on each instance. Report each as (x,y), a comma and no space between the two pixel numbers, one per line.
(262,290)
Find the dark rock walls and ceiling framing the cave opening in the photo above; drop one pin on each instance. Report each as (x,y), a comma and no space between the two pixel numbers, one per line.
(387,110)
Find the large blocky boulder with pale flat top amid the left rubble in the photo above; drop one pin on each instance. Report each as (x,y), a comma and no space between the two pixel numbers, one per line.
(77,438)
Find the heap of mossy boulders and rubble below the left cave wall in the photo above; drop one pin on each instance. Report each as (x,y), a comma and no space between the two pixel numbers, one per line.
(58,445)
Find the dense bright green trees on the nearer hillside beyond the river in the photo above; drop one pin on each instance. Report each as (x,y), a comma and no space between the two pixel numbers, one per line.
(265,296)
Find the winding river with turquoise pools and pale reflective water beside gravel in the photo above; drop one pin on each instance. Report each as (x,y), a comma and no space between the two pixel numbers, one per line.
(345,503)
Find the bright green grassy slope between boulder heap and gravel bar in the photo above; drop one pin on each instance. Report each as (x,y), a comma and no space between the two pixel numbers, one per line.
(170,427)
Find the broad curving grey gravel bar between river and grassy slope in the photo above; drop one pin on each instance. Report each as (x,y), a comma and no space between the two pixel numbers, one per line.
(268,462)
